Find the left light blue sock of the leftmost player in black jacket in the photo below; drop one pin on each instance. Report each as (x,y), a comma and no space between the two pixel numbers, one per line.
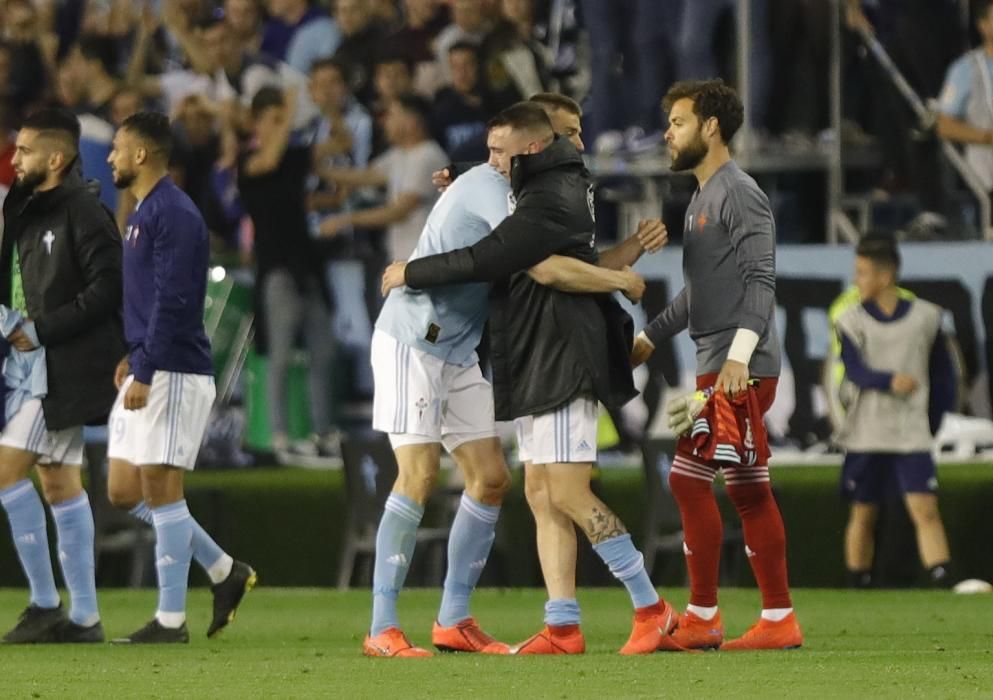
(30,531)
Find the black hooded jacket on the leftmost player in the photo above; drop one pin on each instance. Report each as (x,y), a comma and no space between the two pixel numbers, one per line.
(70,255)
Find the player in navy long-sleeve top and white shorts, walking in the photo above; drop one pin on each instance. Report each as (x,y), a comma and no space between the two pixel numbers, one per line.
(165,384)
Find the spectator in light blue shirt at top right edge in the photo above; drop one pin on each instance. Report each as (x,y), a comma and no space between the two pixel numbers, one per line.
(966,103)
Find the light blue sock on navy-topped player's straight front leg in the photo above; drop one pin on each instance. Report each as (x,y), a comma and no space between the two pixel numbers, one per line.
(173,553)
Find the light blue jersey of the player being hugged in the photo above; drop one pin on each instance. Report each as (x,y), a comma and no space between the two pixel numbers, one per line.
(448,321)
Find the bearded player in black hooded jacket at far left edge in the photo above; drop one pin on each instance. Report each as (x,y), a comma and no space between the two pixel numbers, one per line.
(60,290)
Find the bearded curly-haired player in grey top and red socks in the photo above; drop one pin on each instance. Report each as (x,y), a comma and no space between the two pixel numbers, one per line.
(728,306)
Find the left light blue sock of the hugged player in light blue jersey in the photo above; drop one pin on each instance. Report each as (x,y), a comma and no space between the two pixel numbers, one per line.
(395,541)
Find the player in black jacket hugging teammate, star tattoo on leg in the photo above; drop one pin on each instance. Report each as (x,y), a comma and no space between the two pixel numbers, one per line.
(567,350)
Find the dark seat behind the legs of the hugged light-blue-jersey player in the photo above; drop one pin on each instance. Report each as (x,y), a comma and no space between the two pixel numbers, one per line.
(370,470)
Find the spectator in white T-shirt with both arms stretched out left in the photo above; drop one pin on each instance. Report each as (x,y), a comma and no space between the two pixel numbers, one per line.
(405,170)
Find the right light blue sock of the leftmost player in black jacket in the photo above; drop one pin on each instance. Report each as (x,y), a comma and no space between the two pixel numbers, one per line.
(74,525)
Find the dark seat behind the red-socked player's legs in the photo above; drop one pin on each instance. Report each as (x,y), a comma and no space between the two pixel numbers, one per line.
(663,528)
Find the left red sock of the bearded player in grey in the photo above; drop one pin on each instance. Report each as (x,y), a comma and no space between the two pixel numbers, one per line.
(703,534)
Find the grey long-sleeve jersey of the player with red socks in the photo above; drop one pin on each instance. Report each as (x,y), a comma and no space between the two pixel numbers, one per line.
(729,270)
